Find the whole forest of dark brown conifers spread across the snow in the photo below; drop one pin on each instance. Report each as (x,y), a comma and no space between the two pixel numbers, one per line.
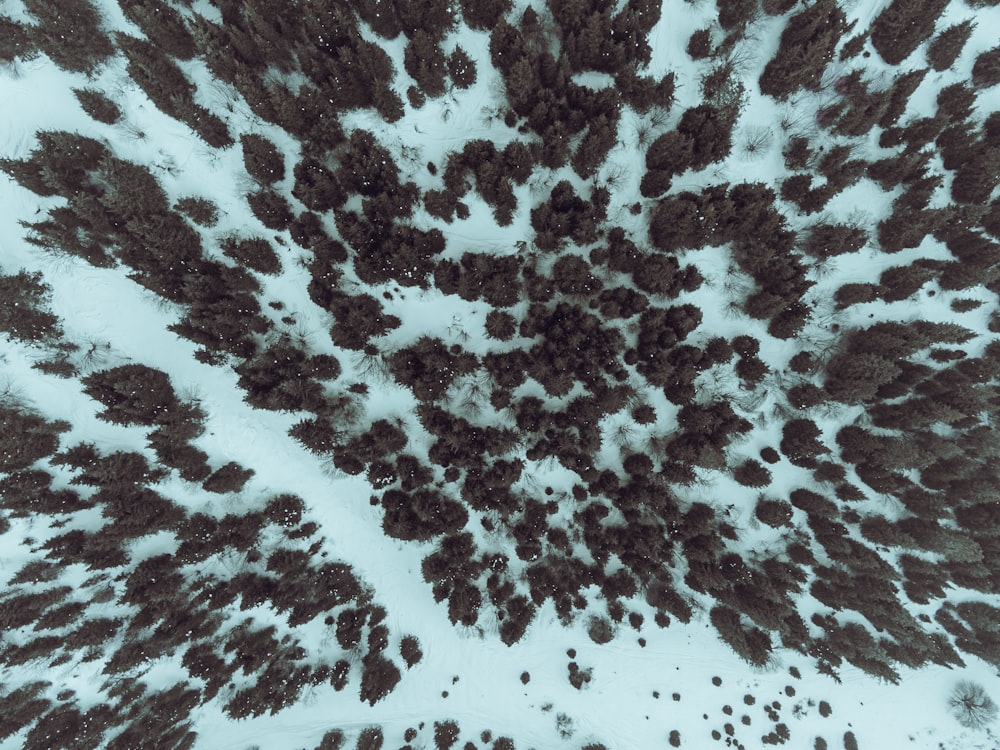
(574,320)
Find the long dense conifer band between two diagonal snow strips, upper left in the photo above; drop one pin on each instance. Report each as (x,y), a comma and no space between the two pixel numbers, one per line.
(113,203)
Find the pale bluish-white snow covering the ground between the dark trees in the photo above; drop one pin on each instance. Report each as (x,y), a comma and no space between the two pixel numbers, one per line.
(618,707)
